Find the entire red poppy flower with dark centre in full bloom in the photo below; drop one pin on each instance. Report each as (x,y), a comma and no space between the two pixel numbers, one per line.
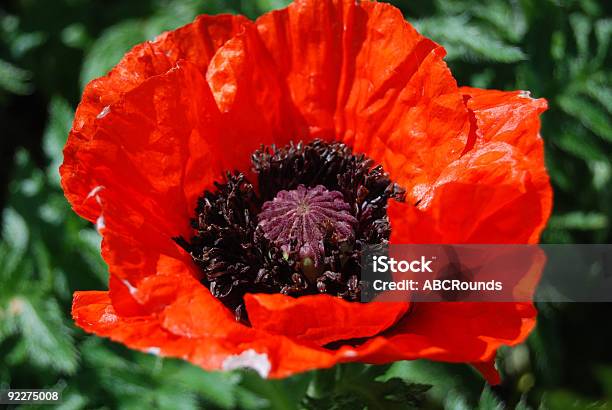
(177,113)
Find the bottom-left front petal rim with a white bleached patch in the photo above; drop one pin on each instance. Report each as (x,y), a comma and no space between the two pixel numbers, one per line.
(271,355)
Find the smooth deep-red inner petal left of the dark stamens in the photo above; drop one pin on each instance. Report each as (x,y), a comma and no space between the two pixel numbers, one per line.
(151,161)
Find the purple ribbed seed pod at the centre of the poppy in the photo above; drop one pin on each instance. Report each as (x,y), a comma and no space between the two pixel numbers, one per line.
(298,220)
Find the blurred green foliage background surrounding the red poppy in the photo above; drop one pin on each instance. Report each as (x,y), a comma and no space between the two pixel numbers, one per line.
(557,49)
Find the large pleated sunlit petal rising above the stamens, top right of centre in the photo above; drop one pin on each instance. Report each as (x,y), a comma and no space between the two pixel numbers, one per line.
(361,73)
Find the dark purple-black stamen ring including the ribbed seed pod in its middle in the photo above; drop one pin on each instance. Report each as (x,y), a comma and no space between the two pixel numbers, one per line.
(301,232)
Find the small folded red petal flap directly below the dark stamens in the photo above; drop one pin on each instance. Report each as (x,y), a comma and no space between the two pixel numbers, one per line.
(321,319)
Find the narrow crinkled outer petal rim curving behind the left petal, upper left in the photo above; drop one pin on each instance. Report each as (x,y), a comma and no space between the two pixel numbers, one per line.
(196,42)
